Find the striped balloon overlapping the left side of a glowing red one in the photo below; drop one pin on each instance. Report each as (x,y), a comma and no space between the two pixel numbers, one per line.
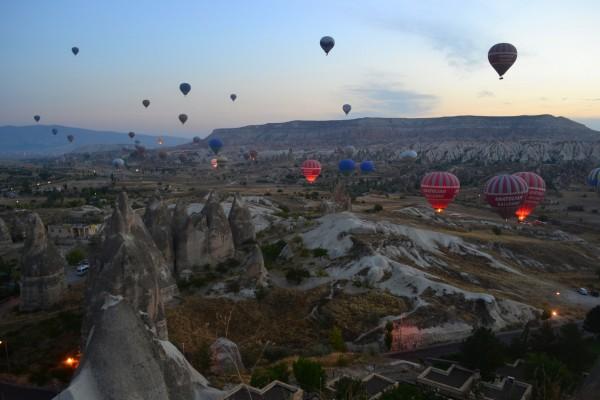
(505,193)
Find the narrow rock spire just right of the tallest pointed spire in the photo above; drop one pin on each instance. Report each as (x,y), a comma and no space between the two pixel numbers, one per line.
(158,220)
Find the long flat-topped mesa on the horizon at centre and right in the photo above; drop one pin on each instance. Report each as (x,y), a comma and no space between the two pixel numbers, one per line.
(385,131)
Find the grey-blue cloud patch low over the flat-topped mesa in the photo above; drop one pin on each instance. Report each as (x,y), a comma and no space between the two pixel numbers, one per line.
(380,99)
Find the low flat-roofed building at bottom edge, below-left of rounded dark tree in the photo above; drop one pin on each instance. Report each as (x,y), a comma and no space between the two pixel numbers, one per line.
(455,382)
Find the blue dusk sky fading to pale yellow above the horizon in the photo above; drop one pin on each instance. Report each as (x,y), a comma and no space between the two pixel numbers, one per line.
(391,59)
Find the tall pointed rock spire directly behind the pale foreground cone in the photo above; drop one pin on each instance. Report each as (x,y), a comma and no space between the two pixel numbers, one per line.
(129,265)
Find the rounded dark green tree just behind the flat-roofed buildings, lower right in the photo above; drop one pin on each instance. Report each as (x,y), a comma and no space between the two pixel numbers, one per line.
(483,351)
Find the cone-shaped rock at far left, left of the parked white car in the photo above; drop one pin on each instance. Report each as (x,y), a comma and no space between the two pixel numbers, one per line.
(42,269)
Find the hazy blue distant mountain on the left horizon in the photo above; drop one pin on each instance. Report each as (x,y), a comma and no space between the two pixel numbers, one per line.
(38,140)
